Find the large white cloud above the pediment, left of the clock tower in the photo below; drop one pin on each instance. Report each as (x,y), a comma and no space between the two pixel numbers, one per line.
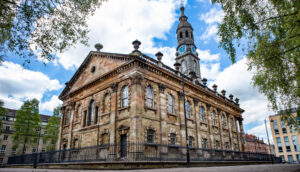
(117,23)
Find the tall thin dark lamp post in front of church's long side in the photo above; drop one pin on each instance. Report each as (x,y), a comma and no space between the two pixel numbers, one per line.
(177,65)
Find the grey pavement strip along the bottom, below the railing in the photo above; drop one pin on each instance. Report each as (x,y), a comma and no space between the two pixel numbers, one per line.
(242,168)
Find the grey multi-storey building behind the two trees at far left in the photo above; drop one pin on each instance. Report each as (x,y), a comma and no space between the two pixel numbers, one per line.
(7,140)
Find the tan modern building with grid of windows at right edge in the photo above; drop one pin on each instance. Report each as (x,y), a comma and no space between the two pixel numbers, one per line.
(286,139)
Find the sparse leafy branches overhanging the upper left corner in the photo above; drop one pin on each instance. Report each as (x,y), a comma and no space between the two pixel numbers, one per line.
(47,26)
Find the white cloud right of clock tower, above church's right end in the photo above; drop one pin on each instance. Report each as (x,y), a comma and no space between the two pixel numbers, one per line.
(236,80)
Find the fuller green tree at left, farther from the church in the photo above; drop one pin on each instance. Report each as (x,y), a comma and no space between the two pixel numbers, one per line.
(27,125)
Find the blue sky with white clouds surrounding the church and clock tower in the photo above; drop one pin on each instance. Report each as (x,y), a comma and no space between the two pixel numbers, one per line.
(153,22)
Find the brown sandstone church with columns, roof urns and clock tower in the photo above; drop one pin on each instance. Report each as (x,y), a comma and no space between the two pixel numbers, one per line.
(130,98)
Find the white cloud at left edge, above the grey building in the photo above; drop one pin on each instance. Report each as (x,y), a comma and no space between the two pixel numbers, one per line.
(18,84)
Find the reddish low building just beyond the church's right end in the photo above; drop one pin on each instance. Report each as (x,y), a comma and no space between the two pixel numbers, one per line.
(255,145)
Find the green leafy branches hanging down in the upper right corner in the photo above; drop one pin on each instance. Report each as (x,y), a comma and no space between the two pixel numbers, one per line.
(271,30)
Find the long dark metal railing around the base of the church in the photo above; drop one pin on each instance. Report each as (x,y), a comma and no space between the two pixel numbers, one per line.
(135,152)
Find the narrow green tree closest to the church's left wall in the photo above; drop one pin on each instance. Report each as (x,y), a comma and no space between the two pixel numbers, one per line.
(52,129)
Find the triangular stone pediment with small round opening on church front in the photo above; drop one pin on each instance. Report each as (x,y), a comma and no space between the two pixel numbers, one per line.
(94,66)
